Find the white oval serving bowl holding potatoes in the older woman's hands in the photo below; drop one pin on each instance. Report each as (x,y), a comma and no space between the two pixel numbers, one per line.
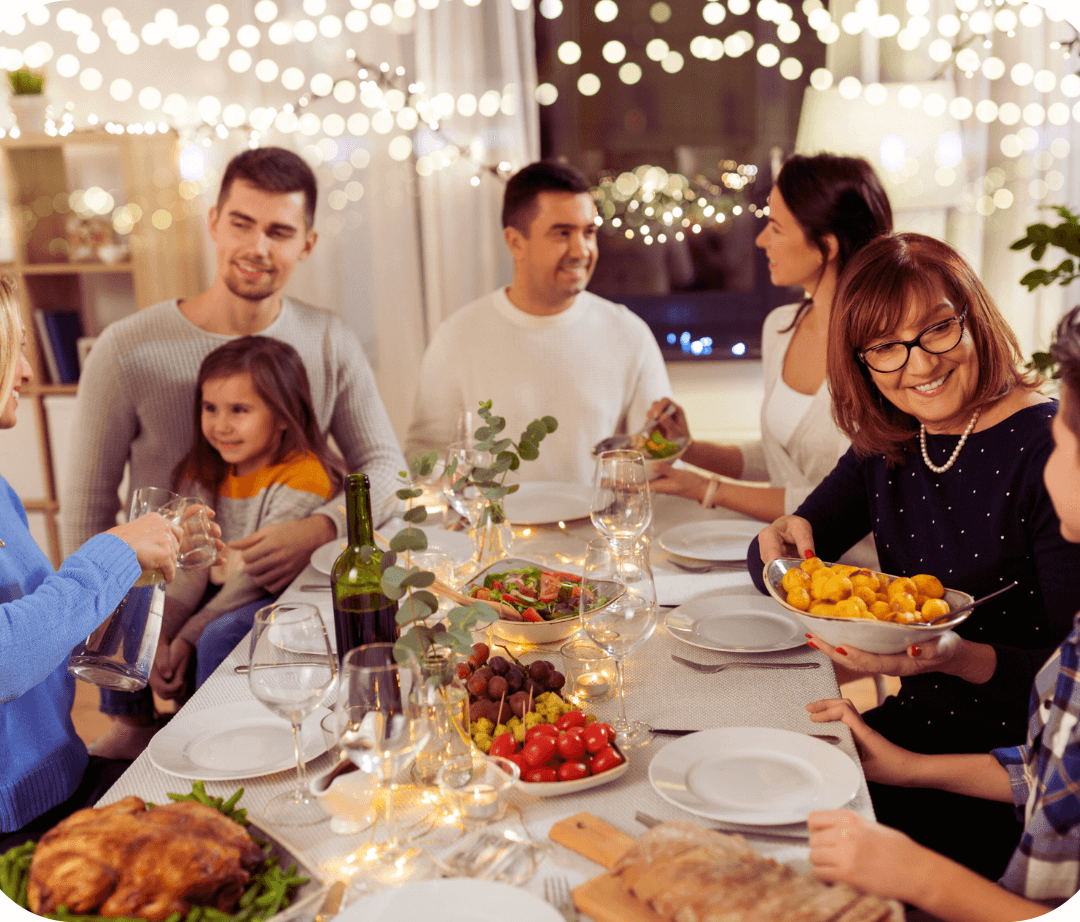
(870,635)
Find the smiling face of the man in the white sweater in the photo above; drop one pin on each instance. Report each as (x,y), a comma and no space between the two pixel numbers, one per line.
(556,261)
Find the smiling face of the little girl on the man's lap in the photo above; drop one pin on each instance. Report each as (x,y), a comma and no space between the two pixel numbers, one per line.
(239,425)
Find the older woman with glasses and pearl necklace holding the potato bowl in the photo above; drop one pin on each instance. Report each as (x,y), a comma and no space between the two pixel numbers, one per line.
(949,441)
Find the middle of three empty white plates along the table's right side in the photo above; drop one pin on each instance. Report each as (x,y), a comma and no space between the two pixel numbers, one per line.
(735,623)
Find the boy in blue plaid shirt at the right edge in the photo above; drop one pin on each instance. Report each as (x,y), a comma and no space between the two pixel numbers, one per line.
(1041,779)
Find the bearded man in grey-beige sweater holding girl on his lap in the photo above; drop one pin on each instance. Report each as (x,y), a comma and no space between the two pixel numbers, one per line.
(137,395)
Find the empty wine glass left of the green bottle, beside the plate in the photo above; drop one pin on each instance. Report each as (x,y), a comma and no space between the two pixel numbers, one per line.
(292,670)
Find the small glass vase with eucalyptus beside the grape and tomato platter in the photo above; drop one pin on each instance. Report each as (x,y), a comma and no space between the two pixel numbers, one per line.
(448,702)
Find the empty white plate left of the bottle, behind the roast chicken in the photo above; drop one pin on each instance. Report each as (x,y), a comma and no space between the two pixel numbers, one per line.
(233,741)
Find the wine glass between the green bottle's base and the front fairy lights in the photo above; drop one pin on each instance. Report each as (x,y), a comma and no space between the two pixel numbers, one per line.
(383,724)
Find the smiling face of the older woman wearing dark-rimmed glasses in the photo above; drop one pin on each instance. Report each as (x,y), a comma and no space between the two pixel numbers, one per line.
(937,390)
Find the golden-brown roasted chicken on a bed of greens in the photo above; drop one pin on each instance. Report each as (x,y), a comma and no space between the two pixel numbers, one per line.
(125,860)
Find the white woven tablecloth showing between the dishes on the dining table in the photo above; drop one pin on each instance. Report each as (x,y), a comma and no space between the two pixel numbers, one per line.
(659,691)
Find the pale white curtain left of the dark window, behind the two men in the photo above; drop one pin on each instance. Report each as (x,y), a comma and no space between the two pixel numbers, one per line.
(398,251)
